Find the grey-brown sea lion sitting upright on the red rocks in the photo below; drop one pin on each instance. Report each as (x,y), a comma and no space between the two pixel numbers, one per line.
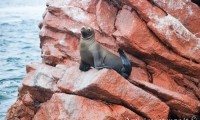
(93,54)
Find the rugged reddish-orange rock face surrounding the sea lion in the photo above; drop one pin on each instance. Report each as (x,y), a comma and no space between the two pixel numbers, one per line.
(160,37)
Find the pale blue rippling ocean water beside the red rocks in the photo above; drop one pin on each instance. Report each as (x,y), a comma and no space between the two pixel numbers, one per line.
(19,45)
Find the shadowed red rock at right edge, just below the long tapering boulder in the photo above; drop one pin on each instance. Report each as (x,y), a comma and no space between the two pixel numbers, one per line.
(172,80)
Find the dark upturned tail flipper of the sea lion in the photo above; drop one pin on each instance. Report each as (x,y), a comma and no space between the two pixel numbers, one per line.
(126,63)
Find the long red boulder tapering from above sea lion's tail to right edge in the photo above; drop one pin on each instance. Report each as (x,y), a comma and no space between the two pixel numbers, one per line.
(132,40)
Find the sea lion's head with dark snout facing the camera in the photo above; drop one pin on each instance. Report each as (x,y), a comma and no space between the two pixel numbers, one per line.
(87,32)
